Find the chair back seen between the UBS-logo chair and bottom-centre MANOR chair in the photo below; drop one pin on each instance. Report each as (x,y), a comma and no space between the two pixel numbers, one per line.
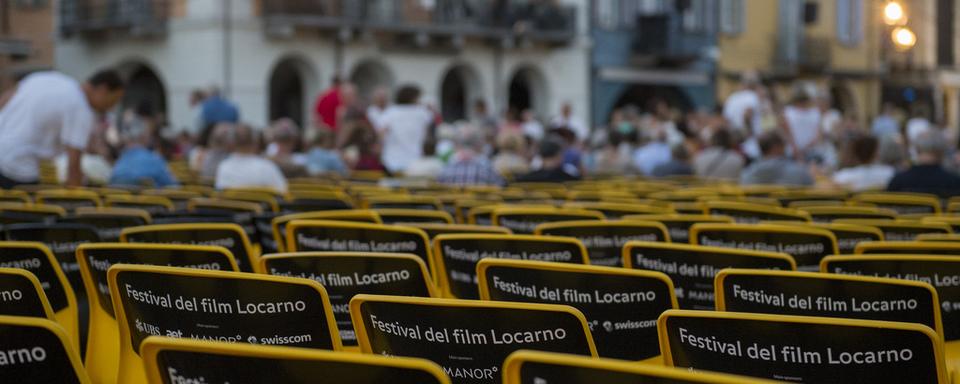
(346,275)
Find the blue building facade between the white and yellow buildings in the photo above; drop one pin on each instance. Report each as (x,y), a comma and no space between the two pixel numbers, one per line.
(644,50)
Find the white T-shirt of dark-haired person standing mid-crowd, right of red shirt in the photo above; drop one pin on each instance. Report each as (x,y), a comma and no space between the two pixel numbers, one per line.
(404,130)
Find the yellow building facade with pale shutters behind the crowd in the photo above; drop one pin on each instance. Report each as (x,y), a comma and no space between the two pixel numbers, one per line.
(836,44)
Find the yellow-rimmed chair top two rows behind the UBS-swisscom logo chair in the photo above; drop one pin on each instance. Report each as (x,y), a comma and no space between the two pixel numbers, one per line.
(230,236)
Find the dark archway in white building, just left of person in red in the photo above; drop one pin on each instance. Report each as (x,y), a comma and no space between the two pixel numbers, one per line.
(290,89)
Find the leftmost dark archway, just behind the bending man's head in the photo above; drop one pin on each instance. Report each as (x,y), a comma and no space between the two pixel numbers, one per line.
(144,93)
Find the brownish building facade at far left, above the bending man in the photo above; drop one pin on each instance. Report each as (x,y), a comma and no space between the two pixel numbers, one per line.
(26,41)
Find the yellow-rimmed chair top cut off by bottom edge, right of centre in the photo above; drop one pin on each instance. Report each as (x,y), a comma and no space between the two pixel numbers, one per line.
(530,367)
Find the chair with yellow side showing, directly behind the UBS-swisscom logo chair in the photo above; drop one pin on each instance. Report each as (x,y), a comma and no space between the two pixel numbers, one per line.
(103,346)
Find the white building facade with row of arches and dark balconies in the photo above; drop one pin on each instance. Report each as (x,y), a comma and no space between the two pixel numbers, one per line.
(274,57)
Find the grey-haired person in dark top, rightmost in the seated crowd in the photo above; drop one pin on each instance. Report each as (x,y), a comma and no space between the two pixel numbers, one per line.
(927,174)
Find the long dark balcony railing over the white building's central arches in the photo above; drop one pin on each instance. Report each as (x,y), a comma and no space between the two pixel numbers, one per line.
(451,18)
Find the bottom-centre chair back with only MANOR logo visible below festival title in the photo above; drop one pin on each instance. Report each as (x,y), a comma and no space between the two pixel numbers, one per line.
(468,339)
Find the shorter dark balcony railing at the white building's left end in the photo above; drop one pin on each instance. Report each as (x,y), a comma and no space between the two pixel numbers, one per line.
(136,17)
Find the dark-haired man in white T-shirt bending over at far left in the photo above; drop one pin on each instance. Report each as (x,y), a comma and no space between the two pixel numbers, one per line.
(49,112)
